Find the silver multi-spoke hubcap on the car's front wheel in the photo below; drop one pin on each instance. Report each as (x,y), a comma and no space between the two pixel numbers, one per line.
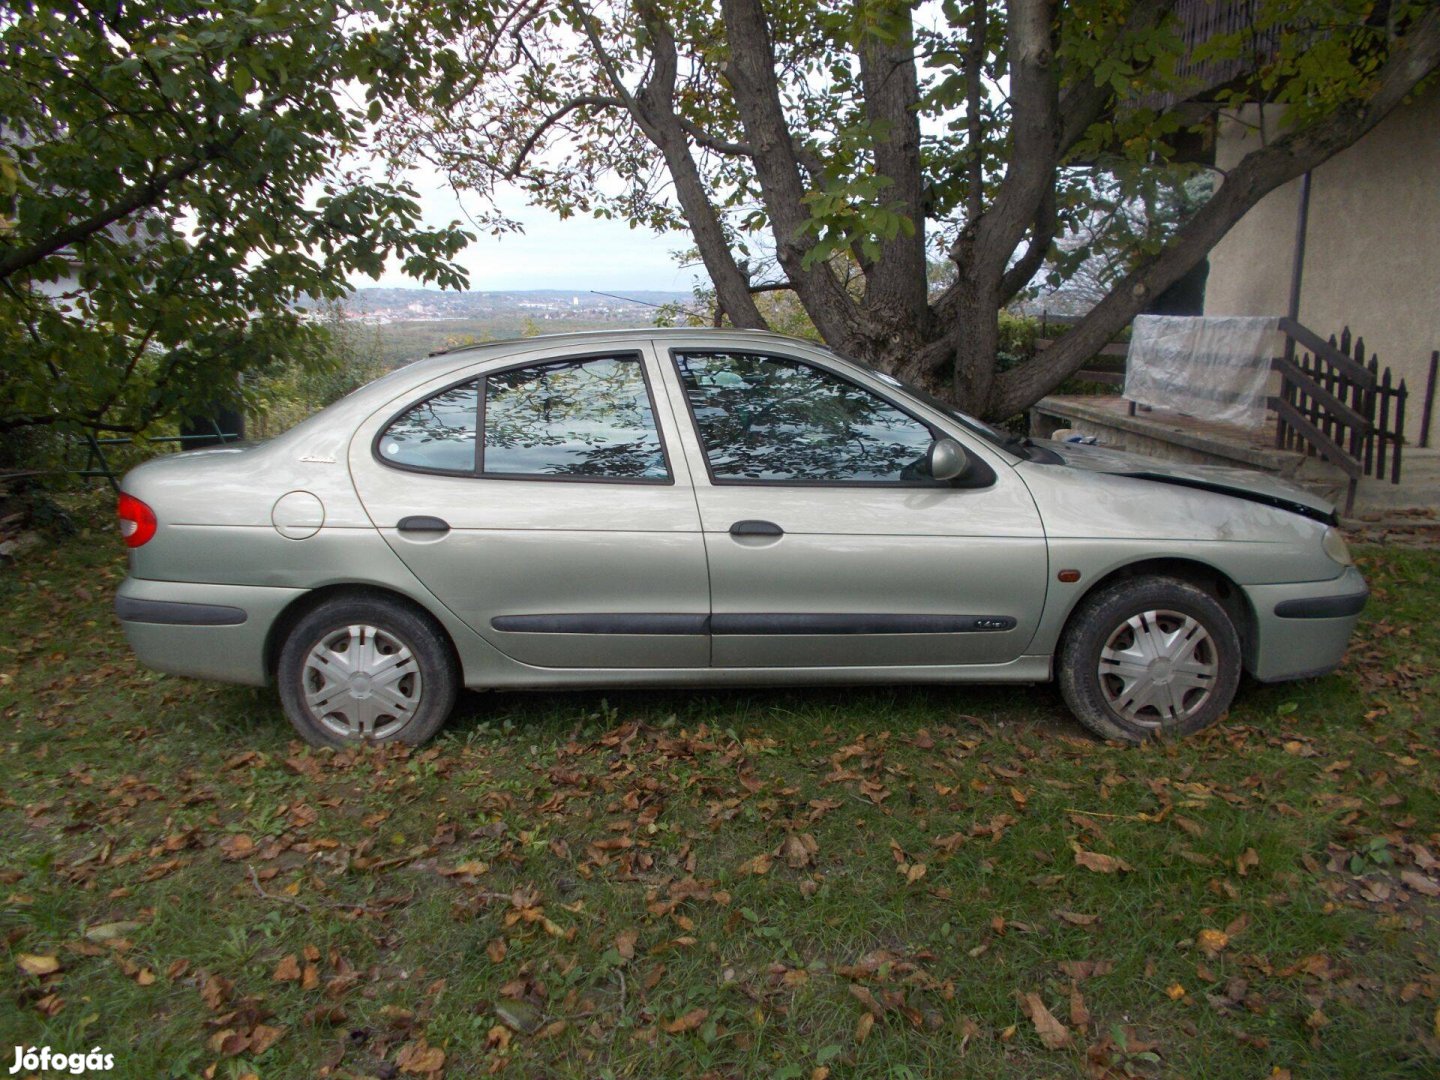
(1158,667)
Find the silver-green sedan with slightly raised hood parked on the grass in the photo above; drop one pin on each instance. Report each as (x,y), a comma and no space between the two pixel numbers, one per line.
(712,509)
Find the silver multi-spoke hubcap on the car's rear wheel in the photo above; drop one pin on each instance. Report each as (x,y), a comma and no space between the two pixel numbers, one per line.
(362,682)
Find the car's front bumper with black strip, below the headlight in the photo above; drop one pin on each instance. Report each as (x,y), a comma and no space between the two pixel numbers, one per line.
(1304,629)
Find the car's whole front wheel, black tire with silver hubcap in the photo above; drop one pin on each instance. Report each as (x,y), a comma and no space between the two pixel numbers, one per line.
(1111,703)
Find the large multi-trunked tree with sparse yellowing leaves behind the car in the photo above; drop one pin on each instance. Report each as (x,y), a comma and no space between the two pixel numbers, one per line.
(836,150)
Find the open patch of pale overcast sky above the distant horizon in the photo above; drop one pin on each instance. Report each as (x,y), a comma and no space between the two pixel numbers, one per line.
(575,254)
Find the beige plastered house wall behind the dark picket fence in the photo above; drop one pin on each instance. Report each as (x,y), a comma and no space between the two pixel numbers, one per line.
(1373,253)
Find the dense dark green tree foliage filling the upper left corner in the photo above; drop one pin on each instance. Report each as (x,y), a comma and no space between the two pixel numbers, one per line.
(175,188)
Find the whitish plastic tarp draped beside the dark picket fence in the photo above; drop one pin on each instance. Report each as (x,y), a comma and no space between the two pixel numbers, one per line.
(1216,369)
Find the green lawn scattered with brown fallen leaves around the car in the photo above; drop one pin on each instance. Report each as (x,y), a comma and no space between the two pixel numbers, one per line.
(606,921)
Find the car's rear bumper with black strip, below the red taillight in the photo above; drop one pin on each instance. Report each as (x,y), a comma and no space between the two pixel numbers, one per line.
(207,631)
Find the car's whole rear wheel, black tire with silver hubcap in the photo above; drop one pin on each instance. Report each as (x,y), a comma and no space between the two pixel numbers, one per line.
(407,701)
